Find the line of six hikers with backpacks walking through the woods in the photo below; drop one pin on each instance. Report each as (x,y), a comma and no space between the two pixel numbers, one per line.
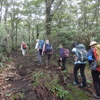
(80,55)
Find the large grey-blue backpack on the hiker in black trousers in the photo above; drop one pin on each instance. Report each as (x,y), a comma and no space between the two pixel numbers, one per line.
(81,53)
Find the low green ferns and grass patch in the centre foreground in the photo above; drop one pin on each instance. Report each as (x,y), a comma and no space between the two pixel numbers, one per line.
(51,81)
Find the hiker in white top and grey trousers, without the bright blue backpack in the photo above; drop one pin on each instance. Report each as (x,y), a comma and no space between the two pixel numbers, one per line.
(38,51)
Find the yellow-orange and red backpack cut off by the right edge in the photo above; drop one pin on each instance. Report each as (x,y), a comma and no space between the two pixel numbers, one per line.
(96,52)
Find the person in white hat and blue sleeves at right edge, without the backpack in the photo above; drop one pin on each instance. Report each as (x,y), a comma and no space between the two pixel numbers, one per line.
(95,72)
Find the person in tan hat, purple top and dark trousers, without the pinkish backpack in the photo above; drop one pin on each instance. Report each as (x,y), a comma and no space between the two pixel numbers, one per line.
(62,58)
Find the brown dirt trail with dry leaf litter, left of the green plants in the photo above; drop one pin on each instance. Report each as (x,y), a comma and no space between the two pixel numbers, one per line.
(15,79)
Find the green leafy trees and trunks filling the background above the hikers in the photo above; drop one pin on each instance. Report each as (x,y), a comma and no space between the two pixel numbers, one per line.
(61,21)
